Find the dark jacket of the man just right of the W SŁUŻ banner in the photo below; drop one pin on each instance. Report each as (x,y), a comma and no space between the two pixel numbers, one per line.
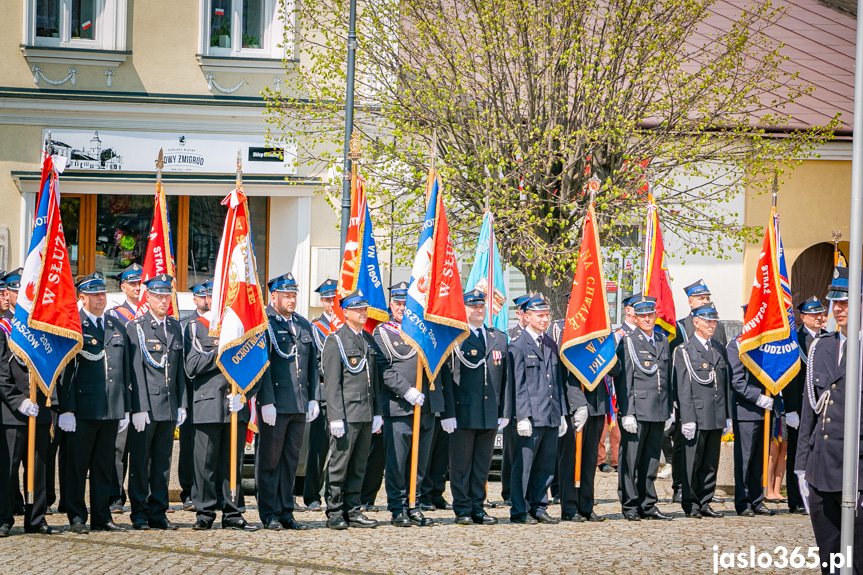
(99,388)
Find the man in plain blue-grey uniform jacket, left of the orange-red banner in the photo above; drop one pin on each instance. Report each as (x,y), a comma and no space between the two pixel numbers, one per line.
(535,405)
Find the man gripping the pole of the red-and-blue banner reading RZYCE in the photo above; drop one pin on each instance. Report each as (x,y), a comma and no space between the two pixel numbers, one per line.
(398,364)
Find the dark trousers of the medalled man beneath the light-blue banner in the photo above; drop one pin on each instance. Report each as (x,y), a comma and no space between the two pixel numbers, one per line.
(470,453)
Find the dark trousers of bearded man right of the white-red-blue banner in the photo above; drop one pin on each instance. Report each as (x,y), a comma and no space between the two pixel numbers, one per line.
(276,460)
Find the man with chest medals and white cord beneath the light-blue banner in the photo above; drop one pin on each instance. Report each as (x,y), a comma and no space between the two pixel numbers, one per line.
(474,404)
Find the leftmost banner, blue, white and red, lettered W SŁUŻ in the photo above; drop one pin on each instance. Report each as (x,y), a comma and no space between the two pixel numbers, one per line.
(46,329)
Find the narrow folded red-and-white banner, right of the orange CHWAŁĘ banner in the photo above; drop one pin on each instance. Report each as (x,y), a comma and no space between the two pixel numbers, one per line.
(655,281)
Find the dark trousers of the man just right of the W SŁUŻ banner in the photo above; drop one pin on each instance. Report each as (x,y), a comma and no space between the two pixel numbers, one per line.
(91,450)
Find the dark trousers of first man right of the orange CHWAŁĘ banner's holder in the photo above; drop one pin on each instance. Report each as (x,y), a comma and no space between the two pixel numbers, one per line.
(638,466)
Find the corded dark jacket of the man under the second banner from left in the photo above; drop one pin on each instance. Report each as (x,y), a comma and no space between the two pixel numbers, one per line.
(157,390)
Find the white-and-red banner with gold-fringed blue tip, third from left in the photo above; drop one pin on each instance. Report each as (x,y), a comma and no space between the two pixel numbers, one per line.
(237,316)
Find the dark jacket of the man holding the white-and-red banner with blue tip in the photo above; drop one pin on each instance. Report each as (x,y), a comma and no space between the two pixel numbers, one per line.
(210,386)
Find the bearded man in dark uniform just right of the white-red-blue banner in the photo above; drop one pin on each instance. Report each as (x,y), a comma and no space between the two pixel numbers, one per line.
(286,401)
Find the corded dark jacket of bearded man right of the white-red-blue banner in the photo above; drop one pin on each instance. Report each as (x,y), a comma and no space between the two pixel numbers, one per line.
(295,380)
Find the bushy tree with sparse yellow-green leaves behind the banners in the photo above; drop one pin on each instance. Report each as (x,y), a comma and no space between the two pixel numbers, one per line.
(525,100)
